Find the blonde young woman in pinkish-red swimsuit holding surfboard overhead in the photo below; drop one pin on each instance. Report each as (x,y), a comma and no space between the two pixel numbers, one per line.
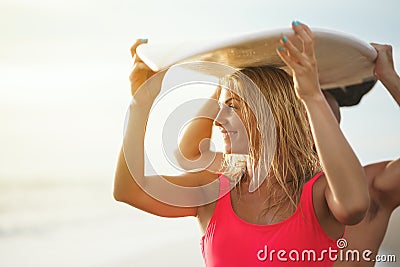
(294,216)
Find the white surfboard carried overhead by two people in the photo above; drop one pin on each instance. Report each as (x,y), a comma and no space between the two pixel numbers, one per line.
(345,63)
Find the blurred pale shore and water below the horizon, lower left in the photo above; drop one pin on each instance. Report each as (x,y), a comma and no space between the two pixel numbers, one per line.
(81,225)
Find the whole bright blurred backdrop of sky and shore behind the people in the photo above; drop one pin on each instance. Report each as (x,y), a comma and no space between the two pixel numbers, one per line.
(64,91)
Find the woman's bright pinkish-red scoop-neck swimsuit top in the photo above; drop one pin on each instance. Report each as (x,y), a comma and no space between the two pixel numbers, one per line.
(299,240)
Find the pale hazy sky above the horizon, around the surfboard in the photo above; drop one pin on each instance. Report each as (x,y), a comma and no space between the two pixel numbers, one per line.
(64,69)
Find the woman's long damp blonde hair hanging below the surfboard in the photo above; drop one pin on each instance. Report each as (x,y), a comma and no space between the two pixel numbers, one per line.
(293,160)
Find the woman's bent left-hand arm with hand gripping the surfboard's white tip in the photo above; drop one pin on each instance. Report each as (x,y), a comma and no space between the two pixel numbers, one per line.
(158,195)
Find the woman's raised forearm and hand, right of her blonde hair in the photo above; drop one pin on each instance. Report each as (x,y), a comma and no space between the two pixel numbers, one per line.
(346,193)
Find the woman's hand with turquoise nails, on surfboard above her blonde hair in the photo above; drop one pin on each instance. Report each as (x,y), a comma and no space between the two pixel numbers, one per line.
(302,61)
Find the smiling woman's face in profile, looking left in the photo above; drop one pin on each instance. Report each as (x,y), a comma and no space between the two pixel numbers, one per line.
(230,122)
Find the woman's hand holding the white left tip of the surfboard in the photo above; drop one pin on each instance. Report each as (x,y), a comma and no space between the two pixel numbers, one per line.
(140,72)
